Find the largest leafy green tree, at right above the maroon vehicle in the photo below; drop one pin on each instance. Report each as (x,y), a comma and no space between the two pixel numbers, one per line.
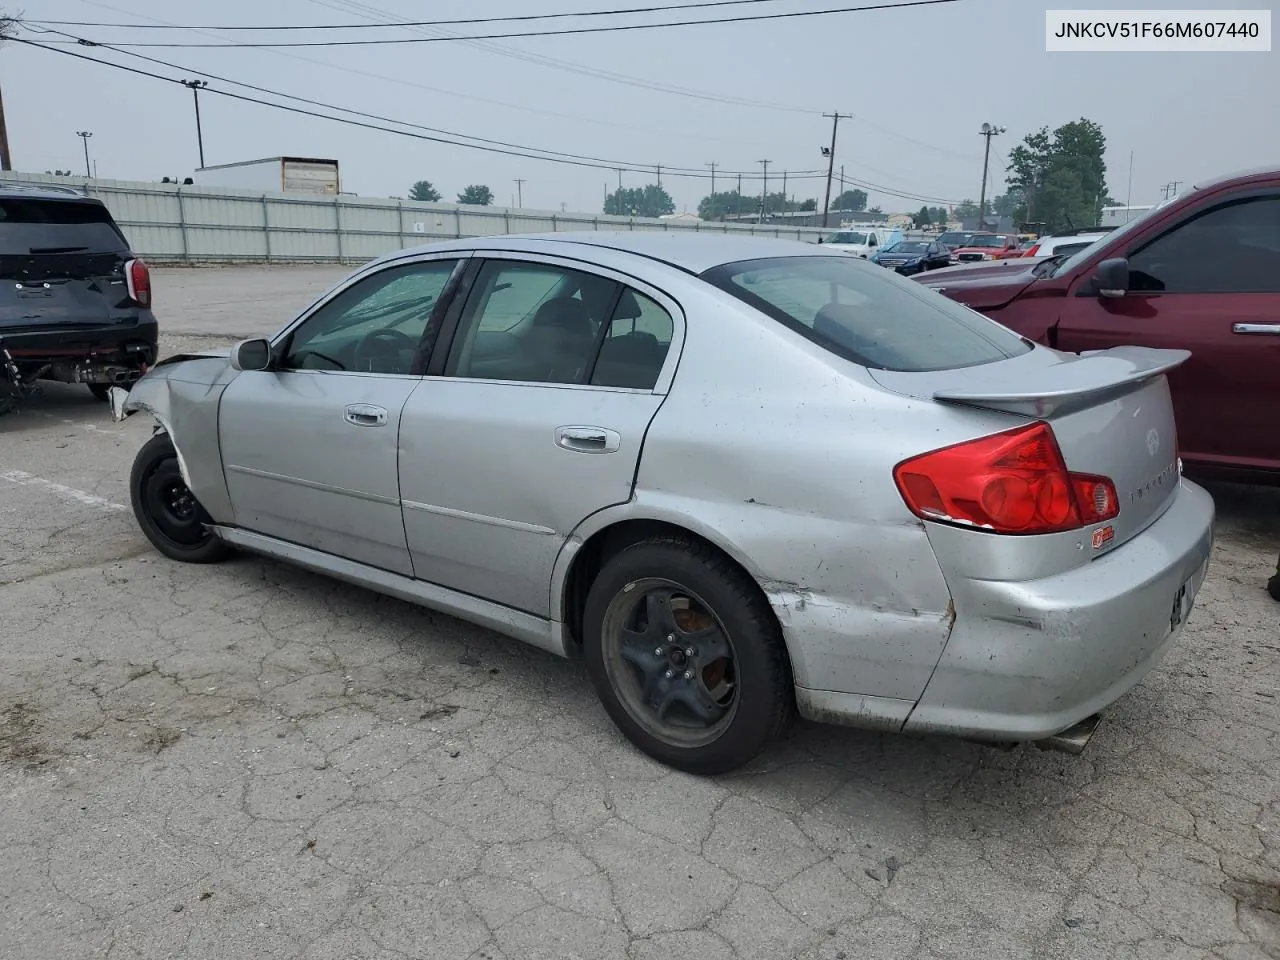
(1062,176)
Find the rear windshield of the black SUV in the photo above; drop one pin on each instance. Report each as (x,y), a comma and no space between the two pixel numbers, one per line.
(34,226)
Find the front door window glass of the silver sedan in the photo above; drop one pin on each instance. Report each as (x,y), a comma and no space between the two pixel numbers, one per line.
(385,324)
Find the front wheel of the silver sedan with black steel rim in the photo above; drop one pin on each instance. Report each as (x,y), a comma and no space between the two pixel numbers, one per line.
(167,511)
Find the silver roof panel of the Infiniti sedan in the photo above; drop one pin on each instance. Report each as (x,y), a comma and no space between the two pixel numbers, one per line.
(694,253)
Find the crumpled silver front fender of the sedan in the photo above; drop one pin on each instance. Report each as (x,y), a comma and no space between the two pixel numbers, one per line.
(182,394)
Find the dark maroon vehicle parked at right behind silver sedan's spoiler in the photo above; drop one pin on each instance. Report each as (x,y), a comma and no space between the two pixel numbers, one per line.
(1200,272)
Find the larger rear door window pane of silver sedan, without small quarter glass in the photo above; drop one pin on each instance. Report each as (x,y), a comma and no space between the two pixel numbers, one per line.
(532,322)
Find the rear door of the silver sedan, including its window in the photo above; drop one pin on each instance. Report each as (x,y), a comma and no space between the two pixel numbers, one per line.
(536,423)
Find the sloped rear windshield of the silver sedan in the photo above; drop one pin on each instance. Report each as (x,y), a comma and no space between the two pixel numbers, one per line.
(868,316)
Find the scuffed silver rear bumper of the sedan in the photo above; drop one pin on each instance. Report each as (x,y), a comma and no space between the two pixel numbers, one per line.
(1028,660)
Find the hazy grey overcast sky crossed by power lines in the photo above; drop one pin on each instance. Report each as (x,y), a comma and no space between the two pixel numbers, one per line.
(920,84)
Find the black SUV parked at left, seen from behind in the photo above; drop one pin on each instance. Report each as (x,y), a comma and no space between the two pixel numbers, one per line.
(75,303)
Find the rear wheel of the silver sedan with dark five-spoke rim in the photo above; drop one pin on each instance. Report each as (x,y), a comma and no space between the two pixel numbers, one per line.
(687,656)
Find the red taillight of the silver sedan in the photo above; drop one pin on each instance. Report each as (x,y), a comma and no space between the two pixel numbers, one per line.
(1011,483)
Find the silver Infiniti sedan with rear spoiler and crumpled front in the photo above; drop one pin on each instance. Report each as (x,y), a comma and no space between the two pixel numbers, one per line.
(739,477)
